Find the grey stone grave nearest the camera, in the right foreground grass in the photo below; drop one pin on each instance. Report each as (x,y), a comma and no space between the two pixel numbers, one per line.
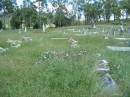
(106,82)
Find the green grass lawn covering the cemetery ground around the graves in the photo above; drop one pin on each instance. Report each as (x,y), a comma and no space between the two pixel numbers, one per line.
(20,76)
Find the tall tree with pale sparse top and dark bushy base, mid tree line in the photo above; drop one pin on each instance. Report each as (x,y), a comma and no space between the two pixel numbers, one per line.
(60,12)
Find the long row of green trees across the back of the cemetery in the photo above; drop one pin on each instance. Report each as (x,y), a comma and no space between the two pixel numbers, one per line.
(34,16)
